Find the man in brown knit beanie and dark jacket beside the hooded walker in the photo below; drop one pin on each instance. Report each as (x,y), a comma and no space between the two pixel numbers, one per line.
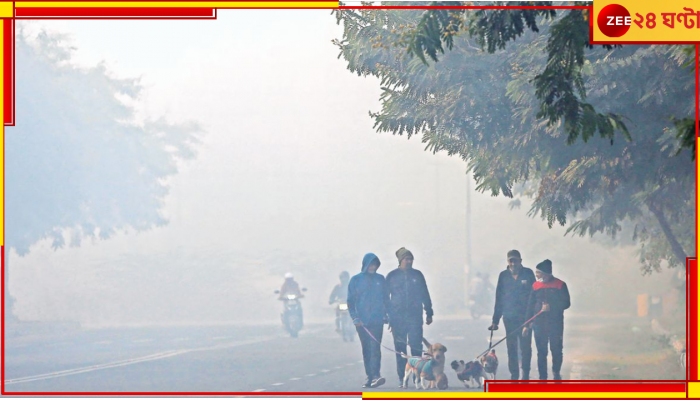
(408,295)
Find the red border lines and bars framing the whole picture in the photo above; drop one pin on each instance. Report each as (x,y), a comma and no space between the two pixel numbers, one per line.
(501,386)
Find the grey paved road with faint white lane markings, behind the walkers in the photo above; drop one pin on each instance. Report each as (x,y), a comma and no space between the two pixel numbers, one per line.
(216,359)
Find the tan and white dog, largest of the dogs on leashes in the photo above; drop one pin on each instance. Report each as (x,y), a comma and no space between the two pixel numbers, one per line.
(430,368)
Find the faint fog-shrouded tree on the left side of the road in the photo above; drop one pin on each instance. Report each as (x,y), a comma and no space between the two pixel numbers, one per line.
(77,163)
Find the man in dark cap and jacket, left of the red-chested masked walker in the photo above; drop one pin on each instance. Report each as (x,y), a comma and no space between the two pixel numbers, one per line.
(512,293)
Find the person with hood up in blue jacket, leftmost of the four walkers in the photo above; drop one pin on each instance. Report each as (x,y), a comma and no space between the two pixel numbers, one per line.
(367,303)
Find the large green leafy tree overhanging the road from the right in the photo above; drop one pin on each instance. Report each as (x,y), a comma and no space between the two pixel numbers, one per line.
(513,102)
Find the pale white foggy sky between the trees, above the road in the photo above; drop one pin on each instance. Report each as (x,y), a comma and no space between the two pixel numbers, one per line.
(290,177)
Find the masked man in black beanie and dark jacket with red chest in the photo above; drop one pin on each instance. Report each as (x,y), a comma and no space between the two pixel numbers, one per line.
(550,295)
